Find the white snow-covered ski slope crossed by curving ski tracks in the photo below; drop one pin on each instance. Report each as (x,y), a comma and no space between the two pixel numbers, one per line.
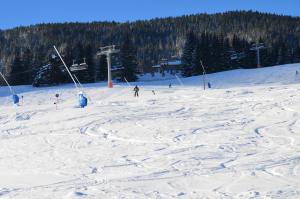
(240,139)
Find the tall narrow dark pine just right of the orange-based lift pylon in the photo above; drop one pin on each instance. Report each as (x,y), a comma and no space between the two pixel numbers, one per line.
(128,60)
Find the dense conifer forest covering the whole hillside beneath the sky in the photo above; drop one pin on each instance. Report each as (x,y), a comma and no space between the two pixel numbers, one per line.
(221,41)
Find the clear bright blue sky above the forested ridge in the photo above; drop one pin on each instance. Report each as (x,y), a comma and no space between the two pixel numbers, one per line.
(27,12)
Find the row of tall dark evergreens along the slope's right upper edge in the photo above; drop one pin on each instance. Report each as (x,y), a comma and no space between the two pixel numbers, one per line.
(217,52)
